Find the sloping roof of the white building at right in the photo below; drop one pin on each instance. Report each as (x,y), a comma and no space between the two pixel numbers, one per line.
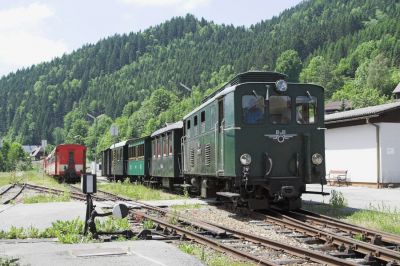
(371,111)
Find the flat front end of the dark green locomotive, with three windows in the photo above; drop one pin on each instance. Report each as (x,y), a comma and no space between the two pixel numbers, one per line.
(280,144)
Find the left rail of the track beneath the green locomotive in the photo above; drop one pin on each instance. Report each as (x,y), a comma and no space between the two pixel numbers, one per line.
(378,252)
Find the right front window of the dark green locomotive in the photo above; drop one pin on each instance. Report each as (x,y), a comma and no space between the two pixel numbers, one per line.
(306,109)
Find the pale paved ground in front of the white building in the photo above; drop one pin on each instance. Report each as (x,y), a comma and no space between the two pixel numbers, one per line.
(359,197)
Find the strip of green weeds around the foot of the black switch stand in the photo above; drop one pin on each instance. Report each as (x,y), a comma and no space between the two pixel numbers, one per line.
(67,232)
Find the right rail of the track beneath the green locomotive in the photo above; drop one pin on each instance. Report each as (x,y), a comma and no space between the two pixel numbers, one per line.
(323,220)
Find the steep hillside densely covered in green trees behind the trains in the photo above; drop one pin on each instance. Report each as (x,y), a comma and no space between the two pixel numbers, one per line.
(350,47)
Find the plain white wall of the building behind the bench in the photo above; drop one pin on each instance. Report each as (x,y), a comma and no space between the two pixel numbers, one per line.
(354,148)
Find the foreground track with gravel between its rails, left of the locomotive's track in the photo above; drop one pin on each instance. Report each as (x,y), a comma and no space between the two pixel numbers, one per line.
(237,243)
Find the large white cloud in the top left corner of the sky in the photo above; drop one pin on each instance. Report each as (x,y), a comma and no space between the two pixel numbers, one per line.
(22,41)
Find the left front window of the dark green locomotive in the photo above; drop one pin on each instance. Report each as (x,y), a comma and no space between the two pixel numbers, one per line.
(253,109)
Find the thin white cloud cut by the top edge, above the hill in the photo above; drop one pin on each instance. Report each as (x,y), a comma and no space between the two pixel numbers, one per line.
(184,5)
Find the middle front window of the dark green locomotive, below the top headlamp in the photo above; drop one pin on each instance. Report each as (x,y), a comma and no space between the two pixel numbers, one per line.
(280,109)
